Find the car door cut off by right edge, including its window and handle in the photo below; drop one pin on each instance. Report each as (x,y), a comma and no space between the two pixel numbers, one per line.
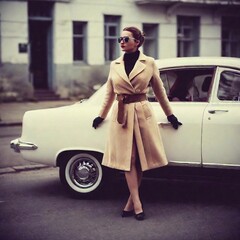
(221,121)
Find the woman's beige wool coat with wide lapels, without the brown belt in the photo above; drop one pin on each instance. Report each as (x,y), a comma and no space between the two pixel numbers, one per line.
(139,118)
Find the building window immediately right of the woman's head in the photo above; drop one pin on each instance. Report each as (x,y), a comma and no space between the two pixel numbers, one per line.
(150,46)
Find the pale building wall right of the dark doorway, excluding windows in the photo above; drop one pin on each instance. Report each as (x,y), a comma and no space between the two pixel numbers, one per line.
(95,70)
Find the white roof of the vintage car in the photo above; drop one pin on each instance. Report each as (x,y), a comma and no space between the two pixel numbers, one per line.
(198,61)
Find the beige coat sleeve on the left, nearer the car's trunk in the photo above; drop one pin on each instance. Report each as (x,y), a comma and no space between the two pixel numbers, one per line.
(109,97)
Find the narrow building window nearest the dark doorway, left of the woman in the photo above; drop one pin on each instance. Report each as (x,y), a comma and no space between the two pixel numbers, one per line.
(79,41)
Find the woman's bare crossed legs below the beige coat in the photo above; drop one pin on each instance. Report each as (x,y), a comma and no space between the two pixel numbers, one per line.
(133,178)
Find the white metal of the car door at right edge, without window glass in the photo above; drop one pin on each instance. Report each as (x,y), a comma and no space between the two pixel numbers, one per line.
(221,130)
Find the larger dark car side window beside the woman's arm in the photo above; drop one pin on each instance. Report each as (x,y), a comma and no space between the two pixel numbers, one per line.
(186,84)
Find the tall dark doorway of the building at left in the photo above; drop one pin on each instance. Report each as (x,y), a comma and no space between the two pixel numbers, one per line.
(39,58)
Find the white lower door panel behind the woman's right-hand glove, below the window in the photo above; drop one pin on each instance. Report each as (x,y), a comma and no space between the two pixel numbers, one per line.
(187,139)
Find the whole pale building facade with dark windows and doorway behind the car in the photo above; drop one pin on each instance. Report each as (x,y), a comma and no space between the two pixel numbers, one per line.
(66,45)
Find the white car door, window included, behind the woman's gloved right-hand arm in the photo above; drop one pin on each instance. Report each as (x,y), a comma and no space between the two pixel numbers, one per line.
(183,146)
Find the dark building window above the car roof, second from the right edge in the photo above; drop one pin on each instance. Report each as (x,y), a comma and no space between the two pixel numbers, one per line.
(188,36)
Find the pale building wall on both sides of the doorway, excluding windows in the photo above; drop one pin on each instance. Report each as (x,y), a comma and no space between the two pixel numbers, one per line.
(78,78)
